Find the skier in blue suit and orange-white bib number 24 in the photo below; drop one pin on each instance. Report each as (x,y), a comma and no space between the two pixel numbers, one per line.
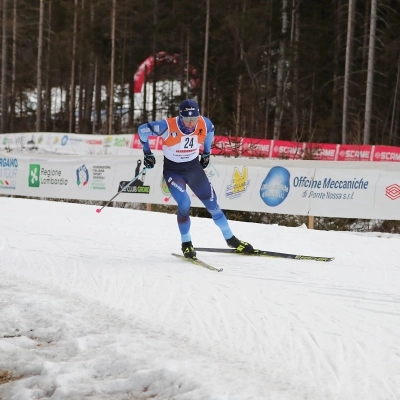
(182,137)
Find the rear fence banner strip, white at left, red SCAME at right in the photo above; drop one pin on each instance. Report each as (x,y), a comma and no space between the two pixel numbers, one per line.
(84,144)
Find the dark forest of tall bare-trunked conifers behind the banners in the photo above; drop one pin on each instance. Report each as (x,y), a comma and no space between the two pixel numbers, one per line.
(302,70)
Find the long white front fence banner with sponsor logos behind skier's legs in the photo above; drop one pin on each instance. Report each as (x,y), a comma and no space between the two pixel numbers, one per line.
(318,188)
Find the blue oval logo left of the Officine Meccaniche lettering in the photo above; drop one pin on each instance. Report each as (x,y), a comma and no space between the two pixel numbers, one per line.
(275,187)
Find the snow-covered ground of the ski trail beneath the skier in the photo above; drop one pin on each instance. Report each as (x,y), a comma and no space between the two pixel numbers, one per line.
(93,306)
